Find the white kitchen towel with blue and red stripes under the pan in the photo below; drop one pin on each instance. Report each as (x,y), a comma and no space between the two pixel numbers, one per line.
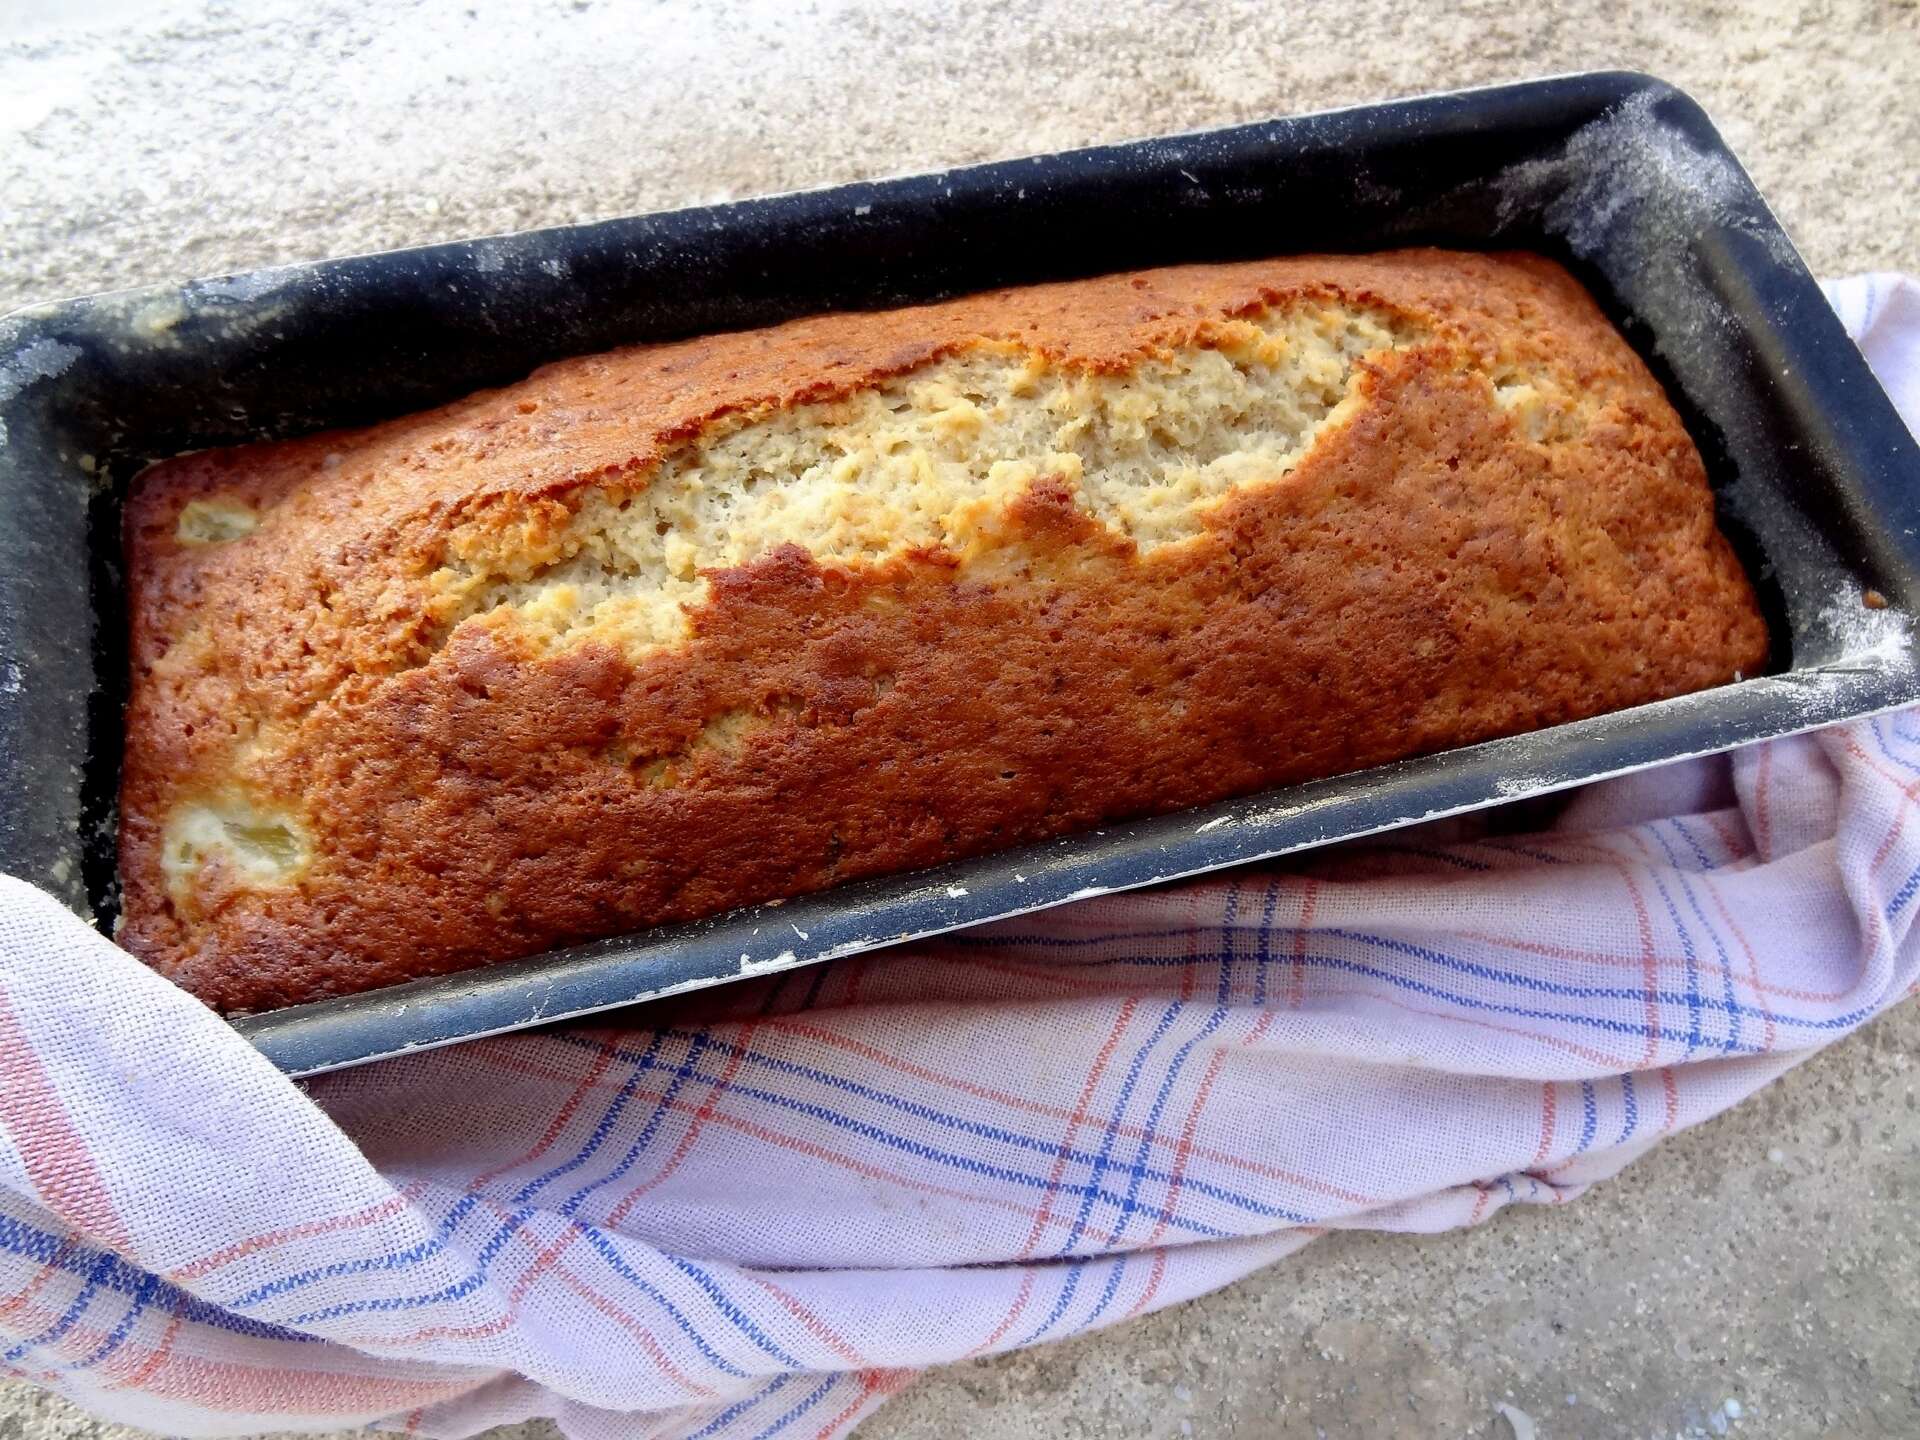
(763,1211)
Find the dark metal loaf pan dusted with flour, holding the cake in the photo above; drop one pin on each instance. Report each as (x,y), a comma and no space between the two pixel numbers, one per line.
(1620,176)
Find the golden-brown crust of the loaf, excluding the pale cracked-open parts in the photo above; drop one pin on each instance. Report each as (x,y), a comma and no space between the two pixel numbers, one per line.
(1428,577)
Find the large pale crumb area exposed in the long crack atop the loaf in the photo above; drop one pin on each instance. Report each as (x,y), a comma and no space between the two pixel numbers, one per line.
(928,460)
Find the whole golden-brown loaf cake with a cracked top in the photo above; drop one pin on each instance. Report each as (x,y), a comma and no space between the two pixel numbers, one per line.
(684,627)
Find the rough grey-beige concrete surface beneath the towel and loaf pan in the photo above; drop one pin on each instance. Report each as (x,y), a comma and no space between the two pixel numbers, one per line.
(155,141)
